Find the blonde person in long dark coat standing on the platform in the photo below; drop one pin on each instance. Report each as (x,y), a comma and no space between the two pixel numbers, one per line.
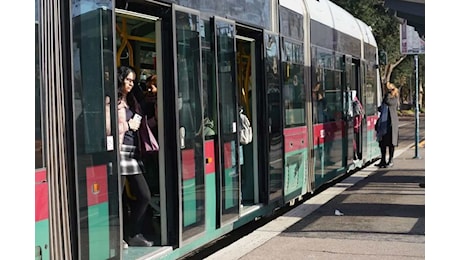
(388,125)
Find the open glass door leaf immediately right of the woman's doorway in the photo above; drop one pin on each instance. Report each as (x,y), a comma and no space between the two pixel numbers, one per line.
(187,103)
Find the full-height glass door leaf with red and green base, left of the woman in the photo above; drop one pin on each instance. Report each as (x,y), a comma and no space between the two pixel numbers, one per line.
(94,115)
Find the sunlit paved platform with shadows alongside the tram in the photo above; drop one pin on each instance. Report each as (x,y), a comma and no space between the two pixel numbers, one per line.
(383,218)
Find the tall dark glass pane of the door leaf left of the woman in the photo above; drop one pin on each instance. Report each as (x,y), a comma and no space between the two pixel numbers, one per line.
(90,84)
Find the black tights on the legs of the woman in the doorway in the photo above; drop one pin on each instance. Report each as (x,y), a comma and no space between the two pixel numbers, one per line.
(140,189)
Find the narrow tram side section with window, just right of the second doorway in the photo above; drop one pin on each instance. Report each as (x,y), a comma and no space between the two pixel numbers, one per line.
(294,101)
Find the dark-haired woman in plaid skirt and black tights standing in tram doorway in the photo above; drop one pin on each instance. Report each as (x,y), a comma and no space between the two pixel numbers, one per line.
(131,167)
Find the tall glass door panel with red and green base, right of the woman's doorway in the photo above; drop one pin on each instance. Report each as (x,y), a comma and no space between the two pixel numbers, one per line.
(189,95)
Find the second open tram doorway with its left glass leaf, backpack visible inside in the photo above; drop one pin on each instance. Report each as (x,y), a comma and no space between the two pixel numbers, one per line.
(236,68)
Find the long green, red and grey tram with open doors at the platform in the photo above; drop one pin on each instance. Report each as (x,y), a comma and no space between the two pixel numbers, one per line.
(293,67)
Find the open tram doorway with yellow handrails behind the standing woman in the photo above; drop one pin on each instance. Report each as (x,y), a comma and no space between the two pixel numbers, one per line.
(138,44)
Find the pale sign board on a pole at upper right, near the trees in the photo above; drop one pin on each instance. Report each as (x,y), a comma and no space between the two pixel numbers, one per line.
(410,41)
